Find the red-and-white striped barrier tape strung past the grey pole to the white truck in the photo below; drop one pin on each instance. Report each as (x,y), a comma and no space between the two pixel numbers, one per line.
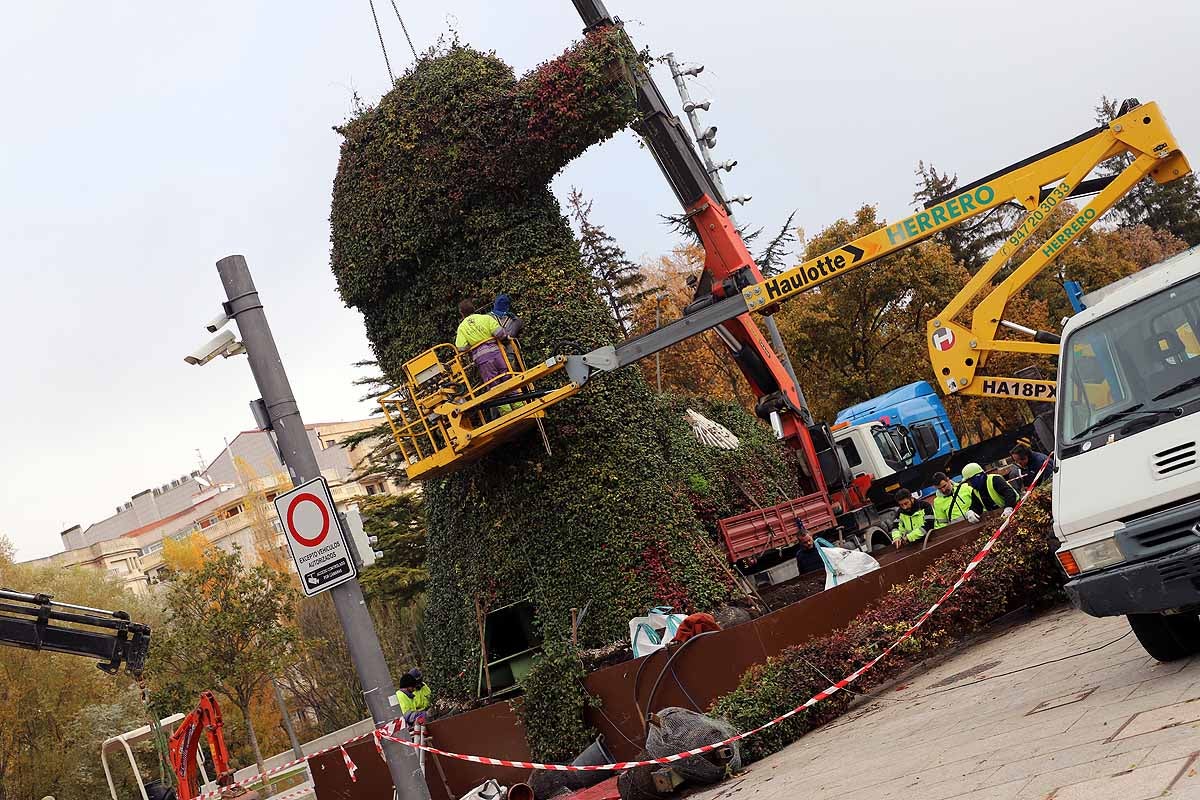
(388,732)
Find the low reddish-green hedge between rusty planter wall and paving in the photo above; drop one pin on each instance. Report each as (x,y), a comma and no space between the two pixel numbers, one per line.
(1021,570)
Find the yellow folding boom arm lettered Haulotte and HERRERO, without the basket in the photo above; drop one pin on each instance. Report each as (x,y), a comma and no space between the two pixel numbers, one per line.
(958,352)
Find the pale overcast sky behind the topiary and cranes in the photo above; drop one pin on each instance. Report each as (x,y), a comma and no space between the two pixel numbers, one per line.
(145,141)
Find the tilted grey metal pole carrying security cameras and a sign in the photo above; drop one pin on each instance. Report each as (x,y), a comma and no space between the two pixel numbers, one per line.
(245,308)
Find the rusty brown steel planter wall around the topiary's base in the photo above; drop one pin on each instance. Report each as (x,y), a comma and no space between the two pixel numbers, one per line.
(710,669)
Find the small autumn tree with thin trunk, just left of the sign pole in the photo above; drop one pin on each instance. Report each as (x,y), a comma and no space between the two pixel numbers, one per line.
(229,630)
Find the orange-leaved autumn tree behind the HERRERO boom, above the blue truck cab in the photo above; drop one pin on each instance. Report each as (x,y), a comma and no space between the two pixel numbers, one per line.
(865,334)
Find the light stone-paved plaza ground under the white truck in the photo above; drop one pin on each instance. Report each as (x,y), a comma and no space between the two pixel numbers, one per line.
(1111,724)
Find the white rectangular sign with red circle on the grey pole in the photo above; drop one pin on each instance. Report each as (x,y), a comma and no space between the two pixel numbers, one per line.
(315,537)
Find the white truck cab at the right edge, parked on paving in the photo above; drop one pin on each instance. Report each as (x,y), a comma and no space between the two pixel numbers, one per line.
(1127,473)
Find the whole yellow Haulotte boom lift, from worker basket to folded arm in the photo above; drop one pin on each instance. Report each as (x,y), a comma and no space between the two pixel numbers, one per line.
(442,419)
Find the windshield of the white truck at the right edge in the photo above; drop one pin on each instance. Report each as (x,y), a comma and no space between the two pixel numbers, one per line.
(1133,362)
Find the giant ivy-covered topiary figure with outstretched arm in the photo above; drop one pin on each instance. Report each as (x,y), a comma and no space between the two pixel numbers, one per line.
(442,195)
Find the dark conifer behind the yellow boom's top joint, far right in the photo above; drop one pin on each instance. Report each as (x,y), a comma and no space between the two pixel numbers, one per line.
(1173,207)
